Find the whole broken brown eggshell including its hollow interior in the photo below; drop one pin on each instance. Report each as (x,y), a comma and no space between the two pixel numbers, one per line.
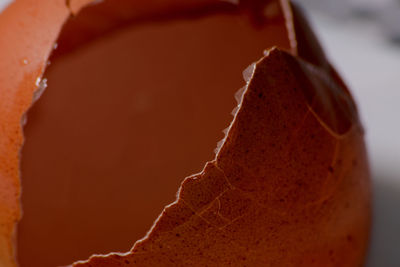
(106,107)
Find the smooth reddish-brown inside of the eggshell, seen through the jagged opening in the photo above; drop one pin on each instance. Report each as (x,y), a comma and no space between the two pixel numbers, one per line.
(124,119)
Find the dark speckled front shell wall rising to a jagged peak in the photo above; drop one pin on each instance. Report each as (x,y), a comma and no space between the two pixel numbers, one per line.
(289,186)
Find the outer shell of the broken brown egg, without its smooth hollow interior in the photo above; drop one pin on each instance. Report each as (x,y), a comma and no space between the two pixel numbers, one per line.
(288,187)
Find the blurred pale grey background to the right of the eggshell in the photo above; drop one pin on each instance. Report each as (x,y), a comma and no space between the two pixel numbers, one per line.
(362,39)
